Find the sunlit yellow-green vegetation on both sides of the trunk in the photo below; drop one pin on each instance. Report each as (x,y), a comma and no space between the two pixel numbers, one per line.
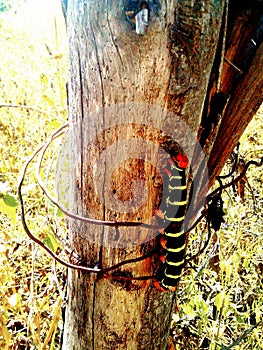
(220,301)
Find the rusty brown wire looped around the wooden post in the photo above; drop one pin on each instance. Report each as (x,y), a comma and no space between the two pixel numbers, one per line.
(40,152)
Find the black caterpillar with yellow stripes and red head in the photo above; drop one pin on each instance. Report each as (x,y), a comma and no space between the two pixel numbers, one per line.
(174,240)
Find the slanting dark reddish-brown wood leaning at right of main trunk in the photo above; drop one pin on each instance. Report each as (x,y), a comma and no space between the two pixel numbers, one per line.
(235,88)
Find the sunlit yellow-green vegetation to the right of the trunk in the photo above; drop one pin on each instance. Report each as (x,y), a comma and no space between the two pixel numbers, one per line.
(221,304)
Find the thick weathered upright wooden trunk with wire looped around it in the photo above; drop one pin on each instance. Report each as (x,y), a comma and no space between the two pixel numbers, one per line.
(127,92)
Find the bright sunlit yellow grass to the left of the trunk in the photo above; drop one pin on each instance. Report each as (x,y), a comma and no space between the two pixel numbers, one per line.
(33,75)
